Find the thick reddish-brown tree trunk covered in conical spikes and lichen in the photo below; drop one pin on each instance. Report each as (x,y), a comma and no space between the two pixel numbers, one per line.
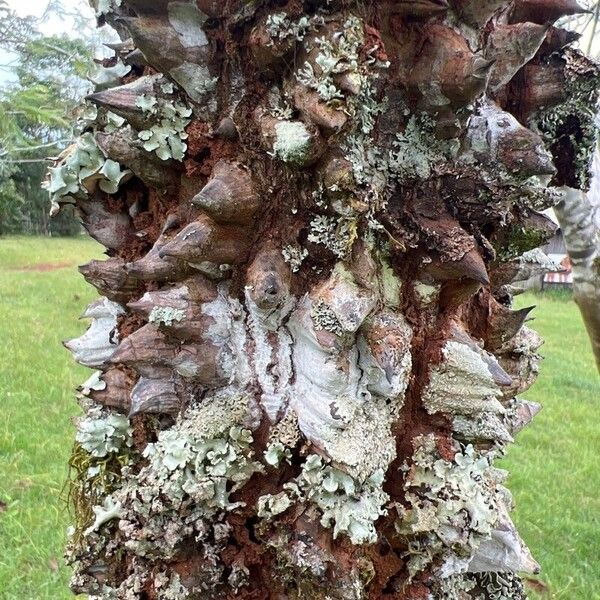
(314,212)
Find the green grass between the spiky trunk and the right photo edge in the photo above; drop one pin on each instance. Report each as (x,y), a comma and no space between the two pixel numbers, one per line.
(554,464)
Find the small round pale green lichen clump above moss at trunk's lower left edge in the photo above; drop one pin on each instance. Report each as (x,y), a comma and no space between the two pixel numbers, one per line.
(101,432)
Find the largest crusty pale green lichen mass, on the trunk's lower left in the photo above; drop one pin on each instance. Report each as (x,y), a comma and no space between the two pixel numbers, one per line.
(197,464)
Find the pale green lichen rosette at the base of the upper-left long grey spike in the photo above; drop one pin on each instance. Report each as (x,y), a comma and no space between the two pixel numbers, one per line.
(167,134)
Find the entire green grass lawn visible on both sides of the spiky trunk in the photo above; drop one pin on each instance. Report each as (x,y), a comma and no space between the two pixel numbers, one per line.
(554,464)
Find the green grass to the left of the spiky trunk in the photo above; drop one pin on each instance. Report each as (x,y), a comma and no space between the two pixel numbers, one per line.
(37,381)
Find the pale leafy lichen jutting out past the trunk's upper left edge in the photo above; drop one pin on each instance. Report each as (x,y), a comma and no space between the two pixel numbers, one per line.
(83,165)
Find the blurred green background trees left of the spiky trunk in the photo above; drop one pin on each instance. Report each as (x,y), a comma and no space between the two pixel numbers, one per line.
(36,117)
